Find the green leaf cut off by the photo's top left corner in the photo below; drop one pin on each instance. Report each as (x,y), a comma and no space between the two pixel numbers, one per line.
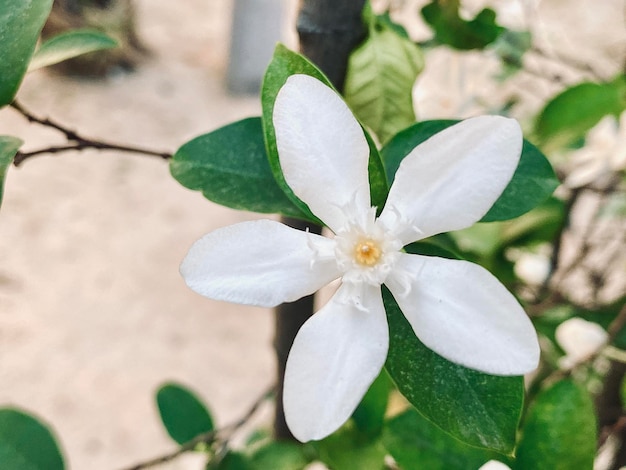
(20,24)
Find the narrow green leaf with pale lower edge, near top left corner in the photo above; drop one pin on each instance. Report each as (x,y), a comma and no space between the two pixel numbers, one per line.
(68,45)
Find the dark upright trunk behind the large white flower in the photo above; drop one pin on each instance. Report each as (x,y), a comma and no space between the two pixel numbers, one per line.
(329,30)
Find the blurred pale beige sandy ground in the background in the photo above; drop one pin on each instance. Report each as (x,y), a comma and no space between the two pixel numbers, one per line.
(93,313)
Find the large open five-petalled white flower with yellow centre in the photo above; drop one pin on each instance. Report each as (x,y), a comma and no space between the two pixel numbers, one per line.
(458,309)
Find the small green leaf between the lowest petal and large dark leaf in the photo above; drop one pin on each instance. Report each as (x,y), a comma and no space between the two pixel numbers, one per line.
(370,414)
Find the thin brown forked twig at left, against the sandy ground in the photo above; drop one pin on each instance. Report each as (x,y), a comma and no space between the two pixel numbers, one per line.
(80,142)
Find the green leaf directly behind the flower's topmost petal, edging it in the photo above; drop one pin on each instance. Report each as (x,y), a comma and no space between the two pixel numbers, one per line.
(284,64)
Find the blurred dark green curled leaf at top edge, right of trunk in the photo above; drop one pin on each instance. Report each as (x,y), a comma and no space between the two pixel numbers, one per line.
(452,30)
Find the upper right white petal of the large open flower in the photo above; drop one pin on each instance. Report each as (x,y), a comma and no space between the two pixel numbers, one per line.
(450,181)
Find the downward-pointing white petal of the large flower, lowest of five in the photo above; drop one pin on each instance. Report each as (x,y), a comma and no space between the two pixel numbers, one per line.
(334,359)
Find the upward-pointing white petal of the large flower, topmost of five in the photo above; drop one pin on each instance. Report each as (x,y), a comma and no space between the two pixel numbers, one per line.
(322,149)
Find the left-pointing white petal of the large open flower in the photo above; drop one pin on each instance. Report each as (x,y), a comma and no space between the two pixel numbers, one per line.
(263,263)
